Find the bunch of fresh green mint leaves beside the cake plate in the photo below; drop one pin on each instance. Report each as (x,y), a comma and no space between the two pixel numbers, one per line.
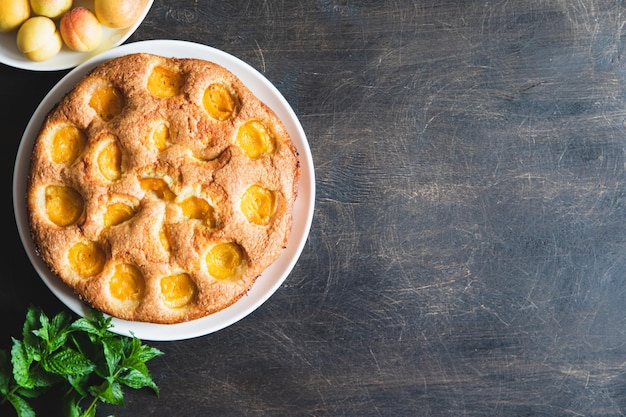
(83,355)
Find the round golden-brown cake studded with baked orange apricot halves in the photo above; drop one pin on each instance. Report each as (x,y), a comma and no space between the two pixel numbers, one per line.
(161,188)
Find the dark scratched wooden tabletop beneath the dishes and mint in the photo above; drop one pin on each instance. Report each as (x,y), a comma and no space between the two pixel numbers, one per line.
(468,252)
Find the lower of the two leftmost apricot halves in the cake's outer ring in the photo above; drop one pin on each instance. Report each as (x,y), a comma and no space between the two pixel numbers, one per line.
(64,205)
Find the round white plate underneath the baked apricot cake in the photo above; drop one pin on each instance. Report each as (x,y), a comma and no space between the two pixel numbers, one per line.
(268,282)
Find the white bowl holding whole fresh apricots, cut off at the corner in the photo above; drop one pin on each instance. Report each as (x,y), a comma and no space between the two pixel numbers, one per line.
(10,55)
